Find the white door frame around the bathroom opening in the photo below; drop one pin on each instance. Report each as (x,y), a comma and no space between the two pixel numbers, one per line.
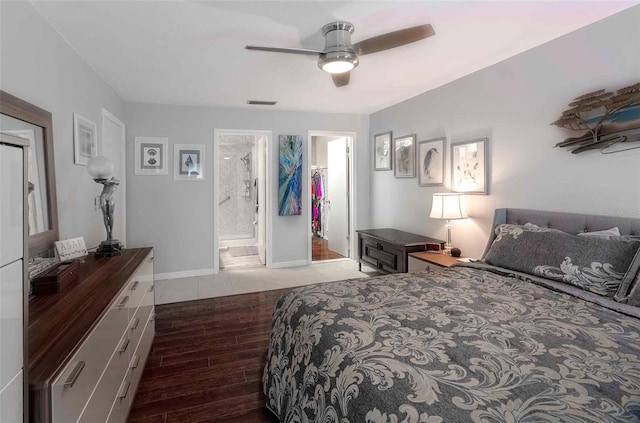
(216,190)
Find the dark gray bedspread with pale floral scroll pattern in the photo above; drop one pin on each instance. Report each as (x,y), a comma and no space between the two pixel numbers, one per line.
(456,345)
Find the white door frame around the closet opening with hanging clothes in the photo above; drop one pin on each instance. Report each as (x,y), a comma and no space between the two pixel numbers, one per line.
(351,143)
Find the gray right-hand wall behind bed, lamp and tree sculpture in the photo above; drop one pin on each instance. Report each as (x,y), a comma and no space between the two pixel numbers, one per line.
(512,103)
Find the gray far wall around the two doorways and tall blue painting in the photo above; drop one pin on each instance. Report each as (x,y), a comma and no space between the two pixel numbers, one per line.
(176,217)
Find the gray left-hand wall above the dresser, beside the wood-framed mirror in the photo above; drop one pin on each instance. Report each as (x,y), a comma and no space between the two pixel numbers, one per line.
(40,67)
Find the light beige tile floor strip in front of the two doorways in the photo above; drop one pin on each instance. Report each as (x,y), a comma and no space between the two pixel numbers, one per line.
(256,279)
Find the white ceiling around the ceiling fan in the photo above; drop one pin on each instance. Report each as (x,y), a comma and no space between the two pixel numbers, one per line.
(192,52)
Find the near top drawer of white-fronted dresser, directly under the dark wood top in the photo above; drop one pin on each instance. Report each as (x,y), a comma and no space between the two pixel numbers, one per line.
(73,387)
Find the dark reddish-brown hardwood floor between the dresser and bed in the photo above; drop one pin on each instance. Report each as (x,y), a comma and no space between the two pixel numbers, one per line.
(207,361)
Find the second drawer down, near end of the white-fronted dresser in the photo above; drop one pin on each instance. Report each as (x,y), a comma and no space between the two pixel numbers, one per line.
(101,400)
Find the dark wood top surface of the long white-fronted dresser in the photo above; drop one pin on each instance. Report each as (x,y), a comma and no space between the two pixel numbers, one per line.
(59,323)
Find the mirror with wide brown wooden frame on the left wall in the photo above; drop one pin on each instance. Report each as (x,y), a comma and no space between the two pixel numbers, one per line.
(22,119)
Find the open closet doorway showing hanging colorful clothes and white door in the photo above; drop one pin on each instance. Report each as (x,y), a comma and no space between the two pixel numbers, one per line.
(330,178)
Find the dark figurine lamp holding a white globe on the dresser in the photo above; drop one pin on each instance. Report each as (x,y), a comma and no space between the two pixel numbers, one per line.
(101,169)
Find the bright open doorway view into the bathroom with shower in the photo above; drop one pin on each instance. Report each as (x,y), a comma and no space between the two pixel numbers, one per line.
(240,208)
